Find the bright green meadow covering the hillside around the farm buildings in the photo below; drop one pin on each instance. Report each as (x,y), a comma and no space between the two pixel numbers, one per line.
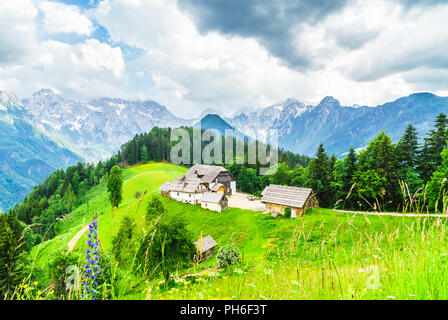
(323,255)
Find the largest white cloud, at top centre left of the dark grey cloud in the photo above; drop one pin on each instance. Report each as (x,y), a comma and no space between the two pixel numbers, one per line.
(193,71)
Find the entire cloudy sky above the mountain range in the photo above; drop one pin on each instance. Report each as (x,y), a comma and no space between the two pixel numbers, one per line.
(228,55)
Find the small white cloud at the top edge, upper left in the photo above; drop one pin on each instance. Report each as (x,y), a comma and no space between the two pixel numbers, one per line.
(62,18)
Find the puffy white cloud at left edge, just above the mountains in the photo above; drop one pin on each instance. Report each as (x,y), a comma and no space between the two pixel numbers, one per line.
(81,71)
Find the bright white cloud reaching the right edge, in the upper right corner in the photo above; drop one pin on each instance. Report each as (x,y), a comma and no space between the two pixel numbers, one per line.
(410,40)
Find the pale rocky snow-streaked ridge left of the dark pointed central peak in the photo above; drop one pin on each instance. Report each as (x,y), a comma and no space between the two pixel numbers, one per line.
(97,128)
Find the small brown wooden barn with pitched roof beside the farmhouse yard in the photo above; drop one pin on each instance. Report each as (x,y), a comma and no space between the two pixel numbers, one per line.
(278,198)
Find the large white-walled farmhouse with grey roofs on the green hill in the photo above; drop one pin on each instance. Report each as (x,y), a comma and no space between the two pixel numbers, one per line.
(202,184)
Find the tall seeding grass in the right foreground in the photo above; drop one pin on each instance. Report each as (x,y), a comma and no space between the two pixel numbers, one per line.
(404,260)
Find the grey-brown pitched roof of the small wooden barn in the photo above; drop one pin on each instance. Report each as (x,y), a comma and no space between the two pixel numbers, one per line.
(284,195)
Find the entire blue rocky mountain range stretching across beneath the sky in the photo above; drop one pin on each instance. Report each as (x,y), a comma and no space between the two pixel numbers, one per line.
(47,131)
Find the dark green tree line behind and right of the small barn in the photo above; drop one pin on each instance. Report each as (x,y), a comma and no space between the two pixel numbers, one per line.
(382,176)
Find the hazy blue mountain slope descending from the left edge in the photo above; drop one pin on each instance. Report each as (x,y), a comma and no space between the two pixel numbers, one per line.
(27,155)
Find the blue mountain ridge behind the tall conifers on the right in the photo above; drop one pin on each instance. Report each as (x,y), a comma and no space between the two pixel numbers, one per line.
(302,127)
